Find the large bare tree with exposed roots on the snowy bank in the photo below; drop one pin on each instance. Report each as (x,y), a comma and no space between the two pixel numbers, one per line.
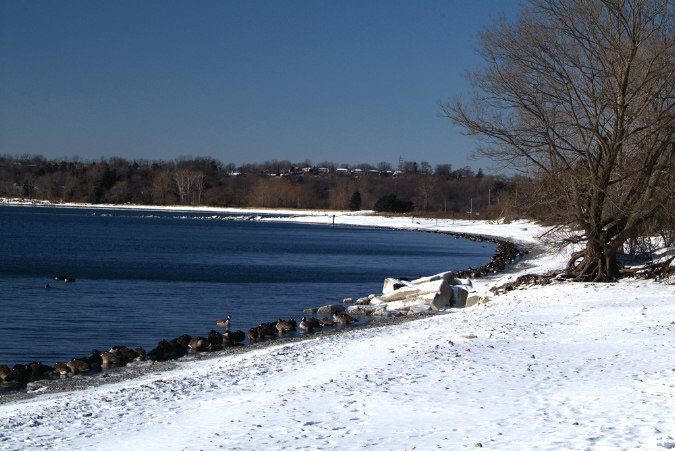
(582,93)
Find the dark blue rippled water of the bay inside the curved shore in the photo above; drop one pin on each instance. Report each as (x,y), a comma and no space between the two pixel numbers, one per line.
(145,276)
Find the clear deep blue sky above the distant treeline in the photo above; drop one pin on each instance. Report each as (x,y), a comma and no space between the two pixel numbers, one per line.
(242,81)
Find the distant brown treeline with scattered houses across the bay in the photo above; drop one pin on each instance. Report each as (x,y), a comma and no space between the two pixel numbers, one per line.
(272,184)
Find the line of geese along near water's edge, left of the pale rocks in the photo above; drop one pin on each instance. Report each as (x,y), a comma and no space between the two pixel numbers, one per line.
(21,374)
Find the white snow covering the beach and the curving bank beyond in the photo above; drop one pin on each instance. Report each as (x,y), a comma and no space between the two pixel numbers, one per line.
(562,366)
